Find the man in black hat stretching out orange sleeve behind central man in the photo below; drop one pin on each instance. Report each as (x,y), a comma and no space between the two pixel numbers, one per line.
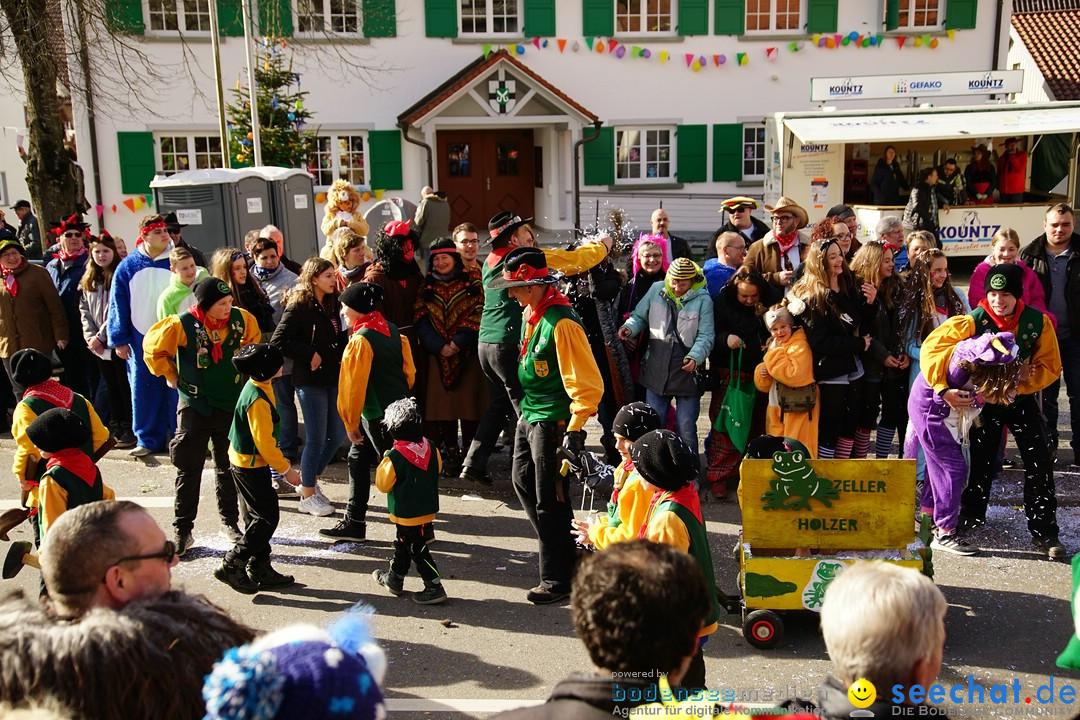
(501,329)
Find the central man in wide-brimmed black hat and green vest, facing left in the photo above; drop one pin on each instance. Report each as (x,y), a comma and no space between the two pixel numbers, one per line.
(562,388)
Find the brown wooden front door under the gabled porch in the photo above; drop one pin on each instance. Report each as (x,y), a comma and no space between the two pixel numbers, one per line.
(484,172)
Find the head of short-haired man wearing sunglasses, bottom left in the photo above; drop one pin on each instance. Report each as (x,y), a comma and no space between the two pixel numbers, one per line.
(105,555)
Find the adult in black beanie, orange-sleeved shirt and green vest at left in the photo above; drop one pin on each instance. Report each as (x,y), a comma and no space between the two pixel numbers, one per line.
(194,351)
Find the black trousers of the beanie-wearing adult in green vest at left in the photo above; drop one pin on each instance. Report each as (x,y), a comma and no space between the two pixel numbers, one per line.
(188,453)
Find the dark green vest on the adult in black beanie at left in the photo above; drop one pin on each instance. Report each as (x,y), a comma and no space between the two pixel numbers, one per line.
(204,384)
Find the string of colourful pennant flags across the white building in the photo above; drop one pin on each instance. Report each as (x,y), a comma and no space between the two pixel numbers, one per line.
(697,62)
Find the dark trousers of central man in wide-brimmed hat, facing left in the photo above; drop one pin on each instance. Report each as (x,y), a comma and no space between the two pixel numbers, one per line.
(546,497)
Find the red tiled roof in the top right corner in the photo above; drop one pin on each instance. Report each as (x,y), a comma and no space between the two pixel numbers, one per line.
(1052,37)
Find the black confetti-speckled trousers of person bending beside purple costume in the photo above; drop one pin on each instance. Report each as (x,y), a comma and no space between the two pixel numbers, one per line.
(1025,422)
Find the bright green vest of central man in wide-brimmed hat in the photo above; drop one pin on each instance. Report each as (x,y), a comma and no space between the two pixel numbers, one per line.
(546,399)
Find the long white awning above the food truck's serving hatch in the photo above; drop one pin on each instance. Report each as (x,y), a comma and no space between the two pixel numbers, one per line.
(1016,120)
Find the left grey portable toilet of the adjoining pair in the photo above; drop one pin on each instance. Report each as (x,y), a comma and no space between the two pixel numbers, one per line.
(218,206)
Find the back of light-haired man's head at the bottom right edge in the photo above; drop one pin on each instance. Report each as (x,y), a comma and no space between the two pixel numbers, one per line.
(885,631)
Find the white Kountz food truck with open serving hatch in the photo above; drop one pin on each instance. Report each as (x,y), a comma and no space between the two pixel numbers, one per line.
(826,158)
